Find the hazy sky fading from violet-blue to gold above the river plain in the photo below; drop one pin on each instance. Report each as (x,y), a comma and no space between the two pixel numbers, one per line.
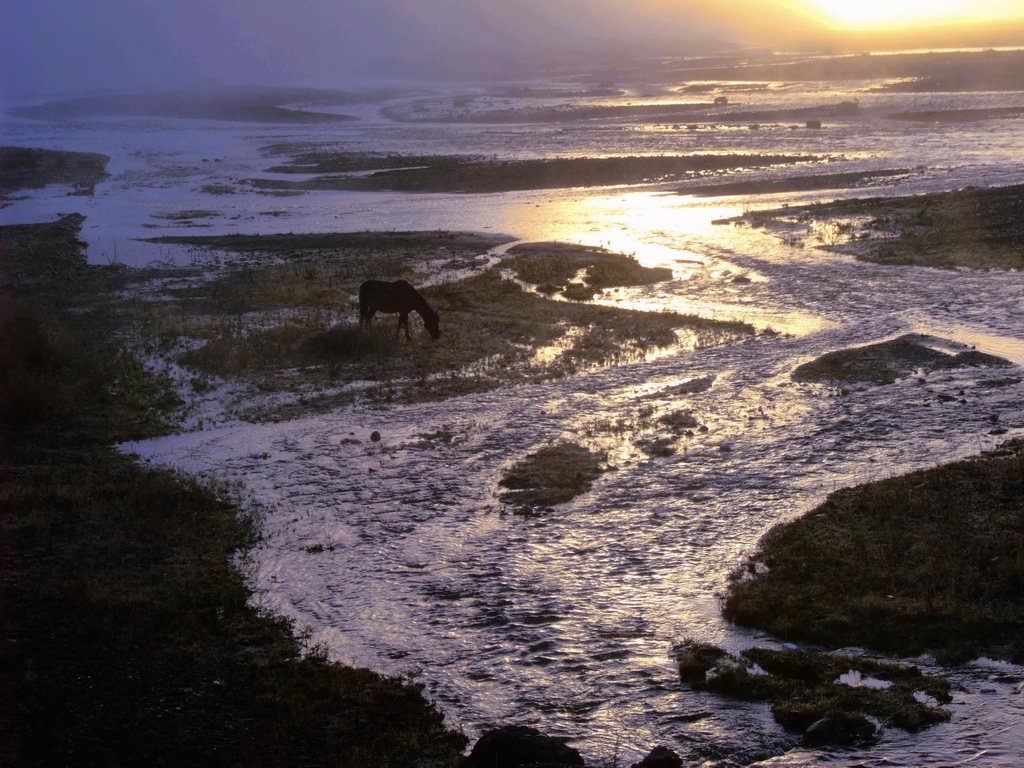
(58,47)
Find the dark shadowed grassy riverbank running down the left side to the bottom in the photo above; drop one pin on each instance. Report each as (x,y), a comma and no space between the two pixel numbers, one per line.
(129,634)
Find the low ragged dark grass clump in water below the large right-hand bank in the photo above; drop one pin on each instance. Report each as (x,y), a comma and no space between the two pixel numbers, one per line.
(804,687)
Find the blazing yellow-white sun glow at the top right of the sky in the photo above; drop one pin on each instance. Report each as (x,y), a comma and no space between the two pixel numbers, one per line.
(882,14)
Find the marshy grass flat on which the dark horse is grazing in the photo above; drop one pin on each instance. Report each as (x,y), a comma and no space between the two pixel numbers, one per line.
(280,319)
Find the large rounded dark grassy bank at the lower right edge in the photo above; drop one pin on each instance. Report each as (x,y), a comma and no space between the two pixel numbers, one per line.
(933,561)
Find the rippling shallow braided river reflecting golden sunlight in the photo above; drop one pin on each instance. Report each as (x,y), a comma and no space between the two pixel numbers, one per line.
(567,621)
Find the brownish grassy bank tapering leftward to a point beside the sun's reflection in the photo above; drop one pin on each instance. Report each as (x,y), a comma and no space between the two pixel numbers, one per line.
(971,228)
